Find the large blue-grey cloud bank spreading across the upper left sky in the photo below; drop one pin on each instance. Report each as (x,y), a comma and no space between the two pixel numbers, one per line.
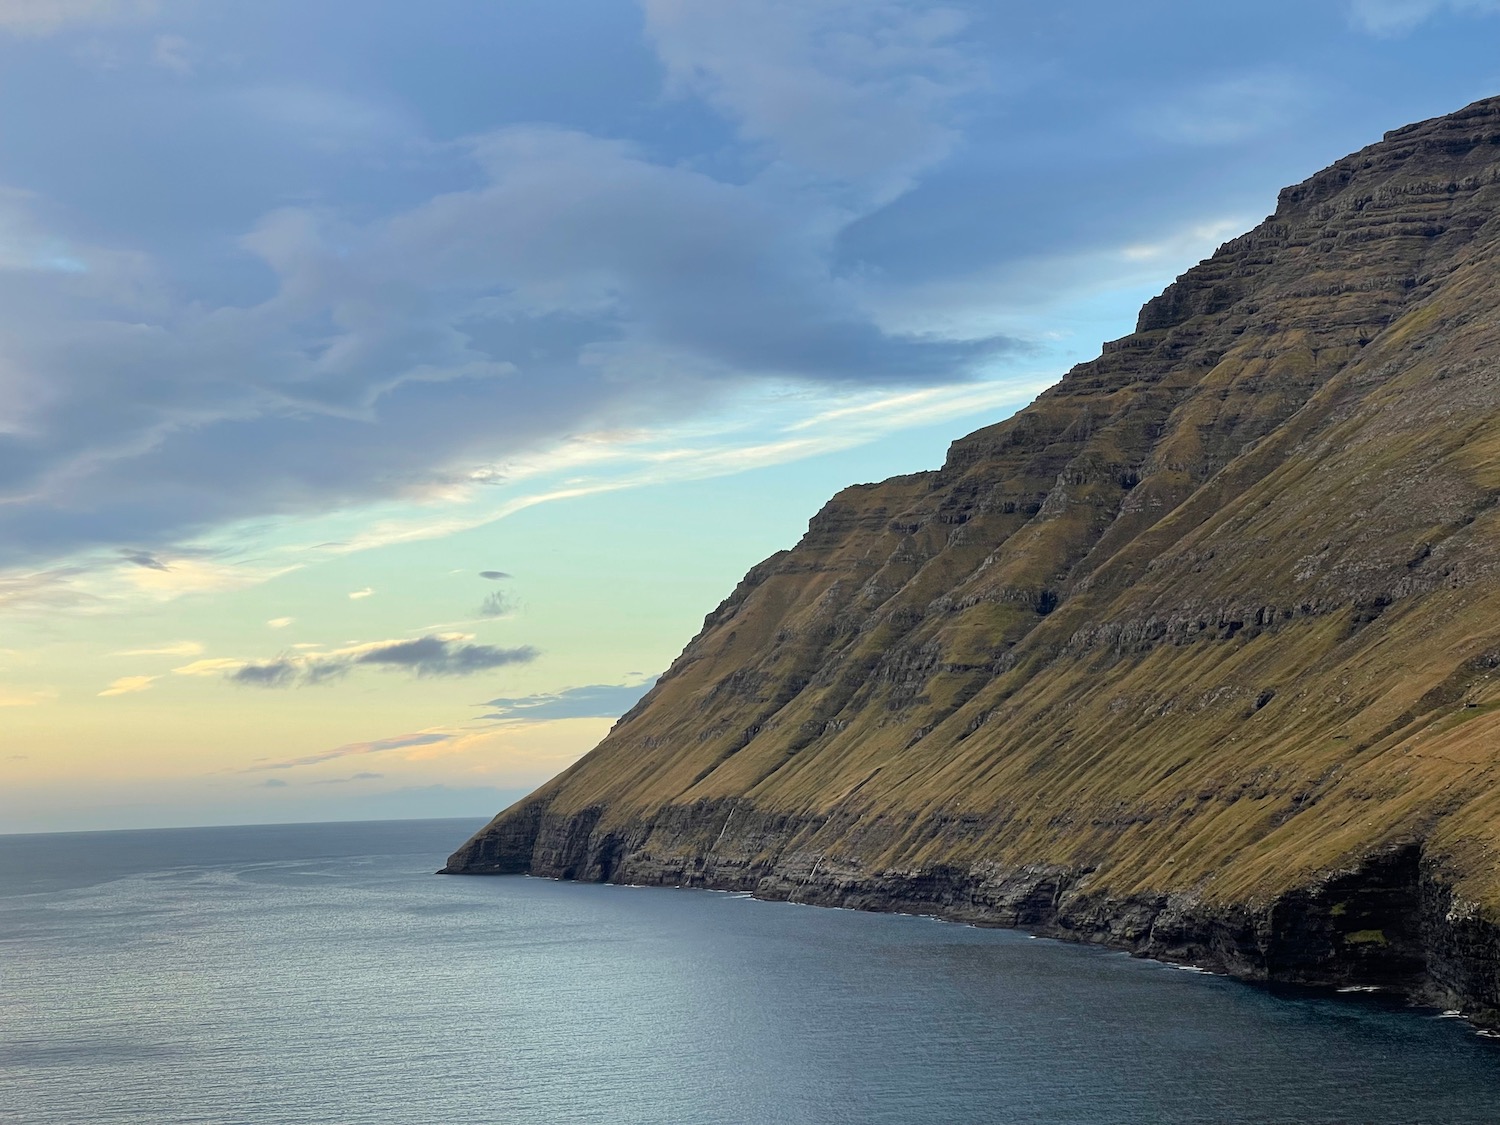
(560,284)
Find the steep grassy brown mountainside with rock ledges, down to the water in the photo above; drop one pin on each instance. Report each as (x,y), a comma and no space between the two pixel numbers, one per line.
(1199,655)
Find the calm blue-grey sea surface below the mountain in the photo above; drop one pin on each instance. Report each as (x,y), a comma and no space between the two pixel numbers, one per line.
(322,974)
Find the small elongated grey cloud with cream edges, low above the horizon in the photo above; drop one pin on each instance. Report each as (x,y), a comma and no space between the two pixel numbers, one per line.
(427,656)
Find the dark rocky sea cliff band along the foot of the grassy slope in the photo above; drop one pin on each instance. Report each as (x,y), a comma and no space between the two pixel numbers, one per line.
(1390,925)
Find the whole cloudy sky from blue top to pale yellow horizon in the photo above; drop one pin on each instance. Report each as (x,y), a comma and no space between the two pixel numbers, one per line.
(388,391)
